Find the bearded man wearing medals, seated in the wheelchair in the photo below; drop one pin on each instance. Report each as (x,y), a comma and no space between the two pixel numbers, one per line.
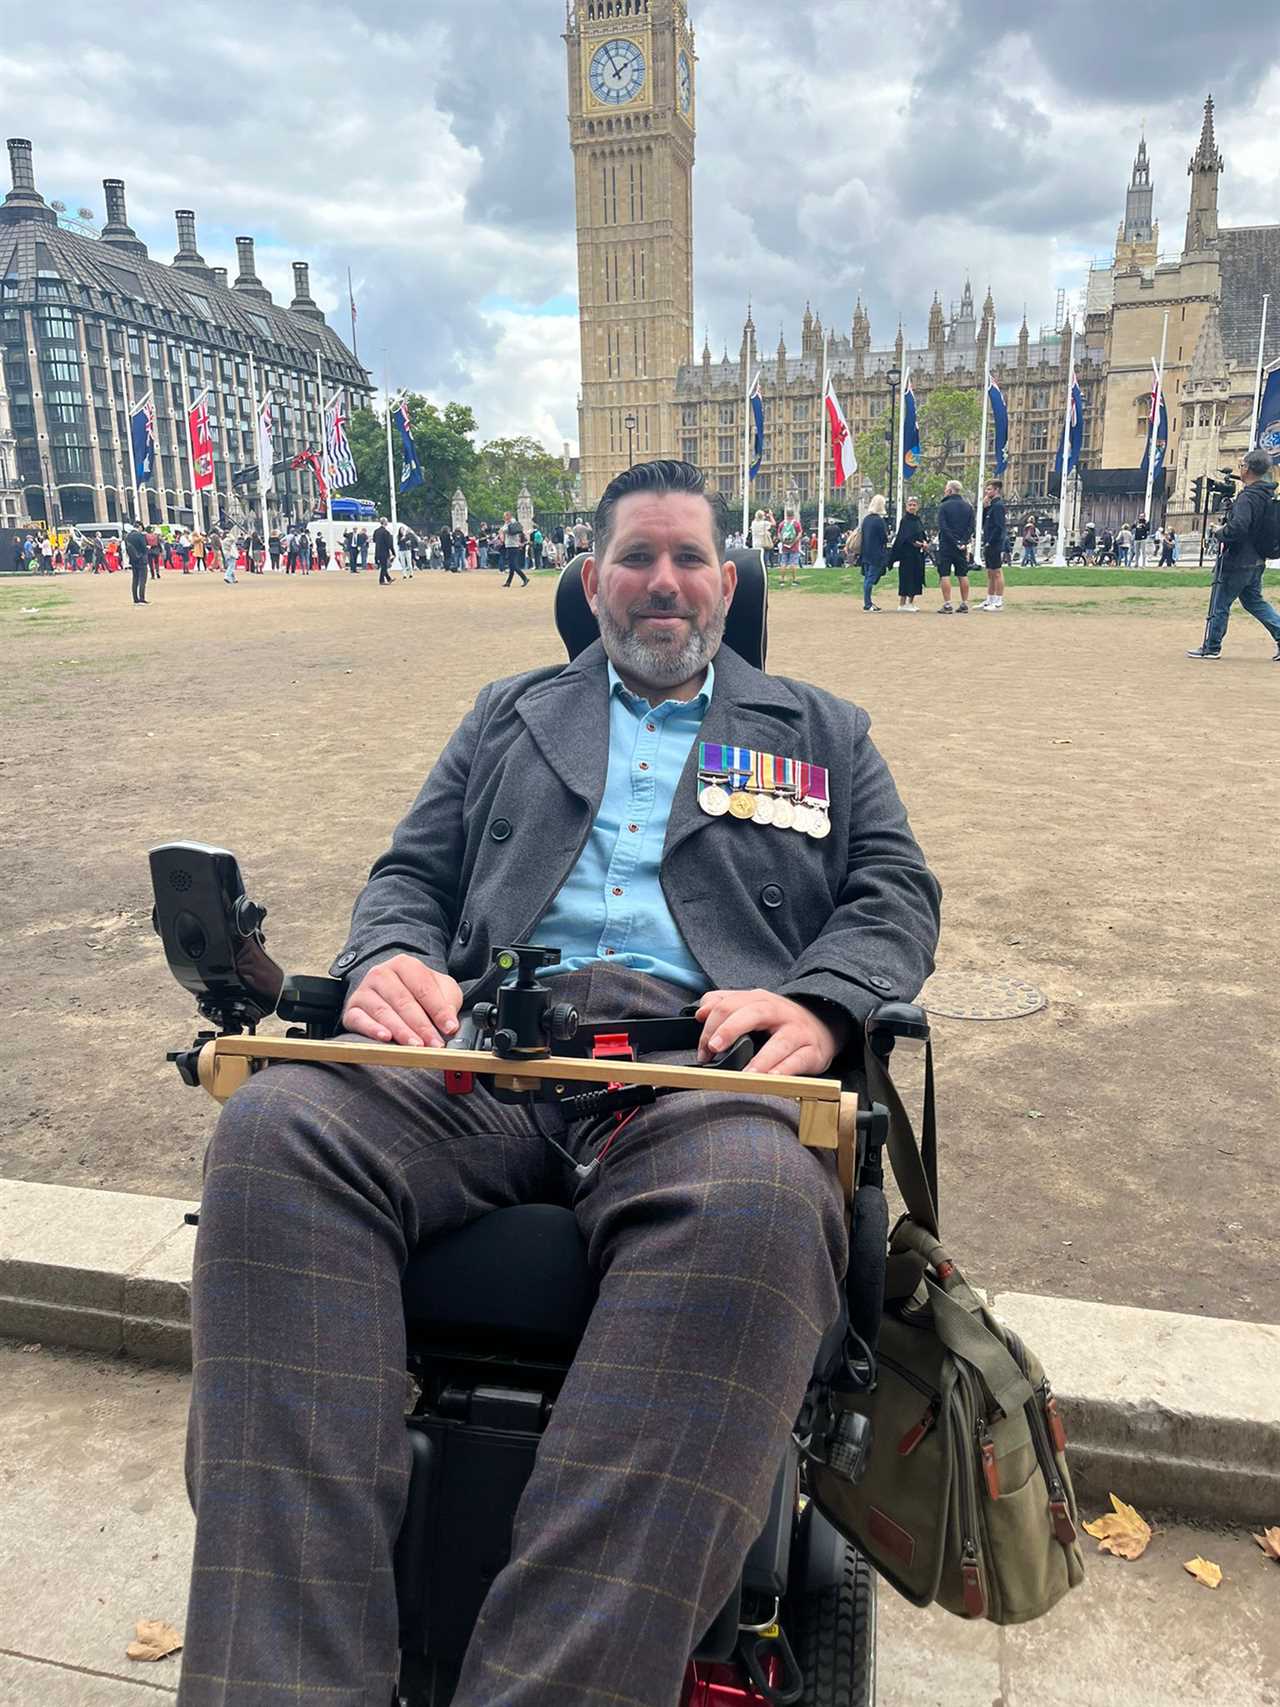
(690,832)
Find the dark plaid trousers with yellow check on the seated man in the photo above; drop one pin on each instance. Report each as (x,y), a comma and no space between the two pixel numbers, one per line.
(718,1240)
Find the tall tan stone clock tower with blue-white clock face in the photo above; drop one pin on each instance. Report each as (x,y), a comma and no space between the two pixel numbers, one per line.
(631,124)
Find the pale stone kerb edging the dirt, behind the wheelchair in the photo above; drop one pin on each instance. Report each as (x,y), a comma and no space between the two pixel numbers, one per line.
(1173,1413)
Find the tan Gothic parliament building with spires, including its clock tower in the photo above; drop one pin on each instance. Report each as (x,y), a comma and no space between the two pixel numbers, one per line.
(632,112)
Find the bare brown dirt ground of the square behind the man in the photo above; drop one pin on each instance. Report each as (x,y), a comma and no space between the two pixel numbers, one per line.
(1102,815)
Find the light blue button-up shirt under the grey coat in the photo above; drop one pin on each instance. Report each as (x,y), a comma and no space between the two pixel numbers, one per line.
(612,906)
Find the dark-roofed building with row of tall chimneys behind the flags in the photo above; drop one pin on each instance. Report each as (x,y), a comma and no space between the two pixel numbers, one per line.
(93,325)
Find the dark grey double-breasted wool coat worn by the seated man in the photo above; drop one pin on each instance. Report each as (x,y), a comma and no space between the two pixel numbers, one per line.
(511,801)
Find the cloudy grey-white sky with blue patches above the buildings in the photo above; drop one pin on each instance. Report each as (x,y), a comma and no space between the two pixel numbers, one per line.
(842,146)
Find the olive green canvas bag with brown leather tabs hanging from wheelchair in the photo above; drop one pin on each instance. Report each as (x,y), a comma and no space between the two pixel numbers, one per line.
(967,1498)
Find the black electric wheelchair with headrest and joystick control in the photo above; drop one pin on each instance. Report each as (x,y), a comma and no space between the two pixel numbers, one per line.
(487,1356)
